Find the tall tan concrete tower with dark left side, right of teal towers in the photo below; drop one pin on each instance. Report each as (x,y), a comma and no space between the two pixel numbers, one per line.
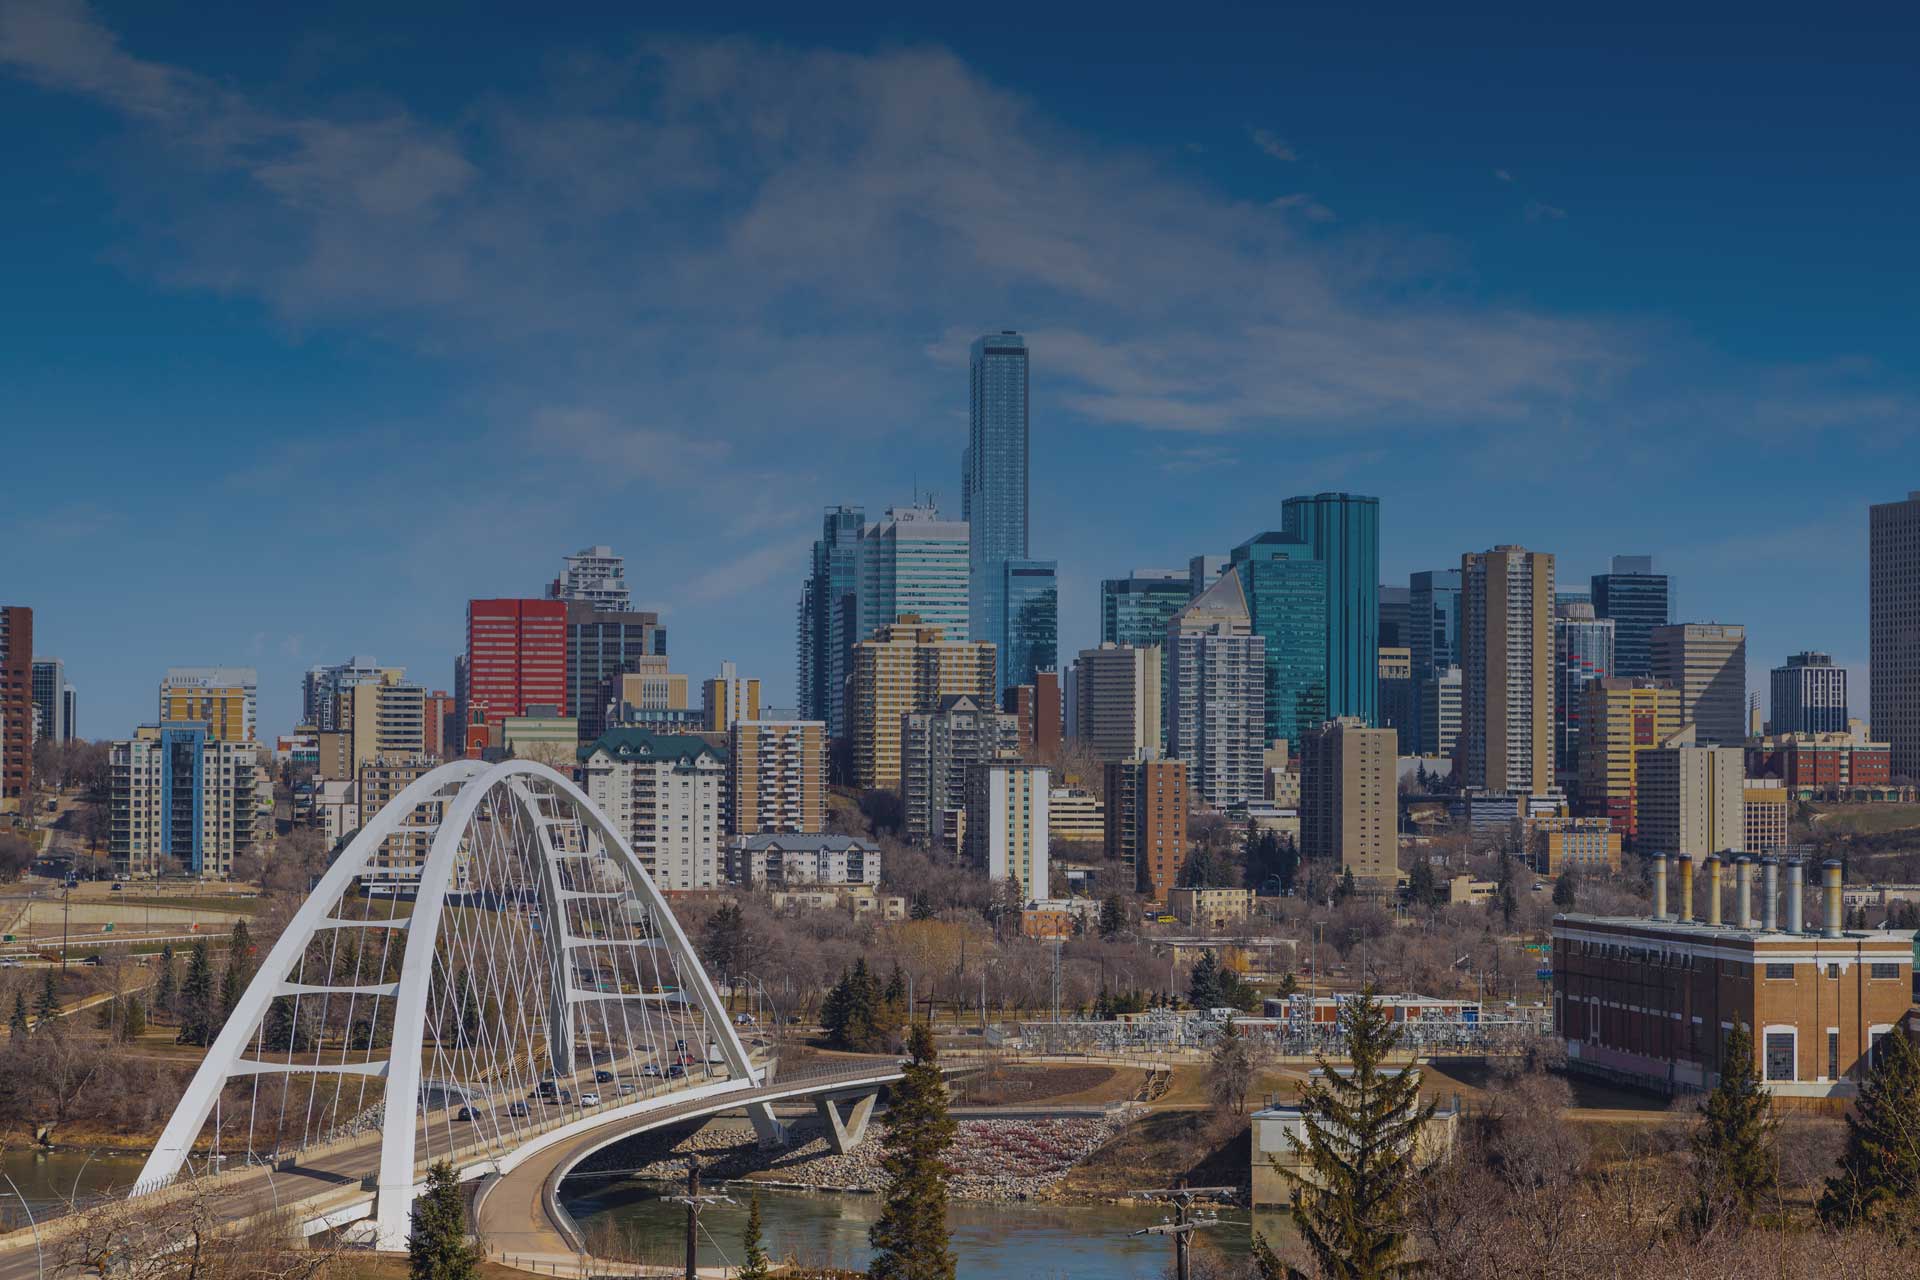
(1506,736)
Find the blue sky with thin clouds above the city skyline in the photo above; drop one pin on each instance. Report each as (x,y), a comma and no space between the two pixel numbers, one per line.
(325,320)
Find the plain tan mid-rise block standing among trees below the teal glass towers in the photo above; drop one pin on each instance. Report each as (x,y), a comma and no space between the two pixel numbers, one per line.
(1351,801)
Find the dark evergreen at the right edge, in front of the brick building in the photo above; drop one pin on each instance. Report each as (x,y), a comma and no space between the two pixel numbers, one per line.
(1881,1166)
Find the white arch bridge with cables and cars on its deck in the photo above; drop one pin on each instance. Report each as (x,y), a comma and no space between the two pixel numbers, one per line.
(487,972)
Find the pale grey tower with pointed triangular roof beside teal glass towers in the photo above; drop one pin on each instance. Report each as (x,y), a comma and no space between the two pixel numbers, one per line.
(1216,696)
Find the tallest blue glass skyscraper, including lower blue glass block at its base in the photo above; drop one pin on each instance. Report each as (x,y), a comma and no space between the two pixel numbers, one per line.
(996,486)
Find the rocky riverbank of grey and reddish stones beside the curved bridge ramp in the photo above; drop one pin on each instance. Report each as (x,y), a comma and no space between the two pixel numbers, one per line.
(994,1160)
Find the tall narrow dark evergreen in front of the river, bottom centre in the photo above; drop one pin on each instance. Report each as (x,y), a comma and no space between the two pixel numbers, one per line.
(911,1235)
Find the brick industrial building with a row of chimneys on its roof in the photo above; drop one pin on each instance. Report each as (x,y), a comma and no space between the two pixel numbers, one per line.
(1648,1001)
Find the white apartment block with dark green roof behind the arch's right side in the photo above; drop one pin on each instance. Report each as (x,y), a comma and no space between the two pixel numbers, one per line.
(665,794)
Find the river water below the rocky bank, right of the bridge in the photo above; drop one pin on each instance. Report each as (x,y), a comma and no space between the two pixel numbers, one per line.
(992,1243)
